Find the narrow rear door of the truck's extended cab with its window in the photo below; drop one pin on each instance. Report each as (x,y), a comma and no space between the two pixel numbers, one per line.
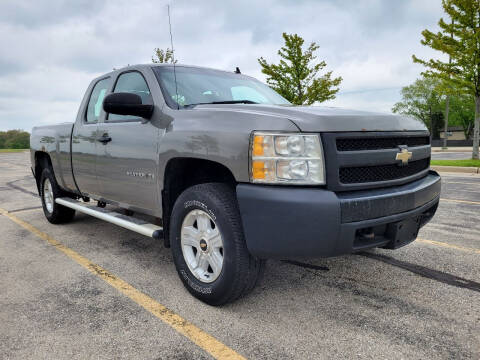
(84,139)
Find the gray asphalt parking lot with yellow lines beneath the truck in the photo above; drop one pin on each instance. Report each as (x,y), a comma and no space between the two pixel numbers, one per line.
(421,301)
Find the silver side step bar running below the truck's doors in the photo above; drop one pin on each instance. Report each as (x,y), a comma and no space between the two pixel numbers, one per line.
(127,222)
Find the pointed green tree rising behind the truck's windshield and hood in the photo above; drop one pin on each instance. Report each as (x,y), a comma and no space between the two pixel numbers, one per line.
(297,76)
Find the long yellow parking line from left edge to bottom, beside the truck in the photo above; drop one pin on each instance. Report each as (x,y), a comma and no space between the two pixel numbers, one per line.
(204,340)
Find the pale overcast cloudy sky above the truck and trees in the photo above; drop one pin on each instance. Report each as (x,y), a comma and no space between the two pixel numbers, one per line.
(51,49)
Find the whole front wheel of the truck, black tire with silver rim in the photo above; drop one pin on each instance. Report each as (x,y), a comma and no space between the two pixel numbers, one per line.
(208,245)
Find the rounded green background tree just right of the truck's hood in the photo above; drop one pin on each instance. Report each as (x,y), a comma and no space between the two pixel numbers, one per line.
(422,101)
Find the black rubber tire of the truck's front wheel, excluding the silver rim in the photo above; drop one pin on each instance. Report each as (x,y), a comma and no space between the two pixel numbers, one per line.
(240,271)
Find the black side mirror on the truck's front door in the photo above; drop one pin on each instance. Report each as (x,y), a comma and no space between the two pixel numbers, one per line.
(127,104)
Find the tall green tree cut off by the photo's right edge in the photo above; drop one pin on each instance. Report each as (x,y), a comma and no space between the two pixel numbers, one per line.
(460,40)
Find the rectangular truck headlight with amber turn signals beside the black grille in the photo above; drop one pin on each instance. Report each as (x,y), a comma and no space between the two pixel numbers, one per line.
(287,159)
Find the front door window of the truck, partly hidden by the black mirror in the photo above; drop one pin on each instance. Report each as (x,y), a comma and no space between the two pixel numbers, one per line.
(131,82)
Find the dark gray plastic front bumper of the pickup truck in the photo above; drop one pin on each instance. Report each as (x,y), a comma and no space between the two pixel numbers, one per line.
(285,222)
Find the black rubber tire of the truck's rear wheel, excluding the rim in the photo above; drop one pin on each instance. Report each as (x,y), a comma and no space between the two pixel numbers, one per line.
(59,214)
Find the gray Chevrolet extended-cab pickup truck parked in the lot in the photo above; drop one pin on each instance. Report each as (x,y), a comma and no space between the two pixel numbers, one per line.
(228,173)
